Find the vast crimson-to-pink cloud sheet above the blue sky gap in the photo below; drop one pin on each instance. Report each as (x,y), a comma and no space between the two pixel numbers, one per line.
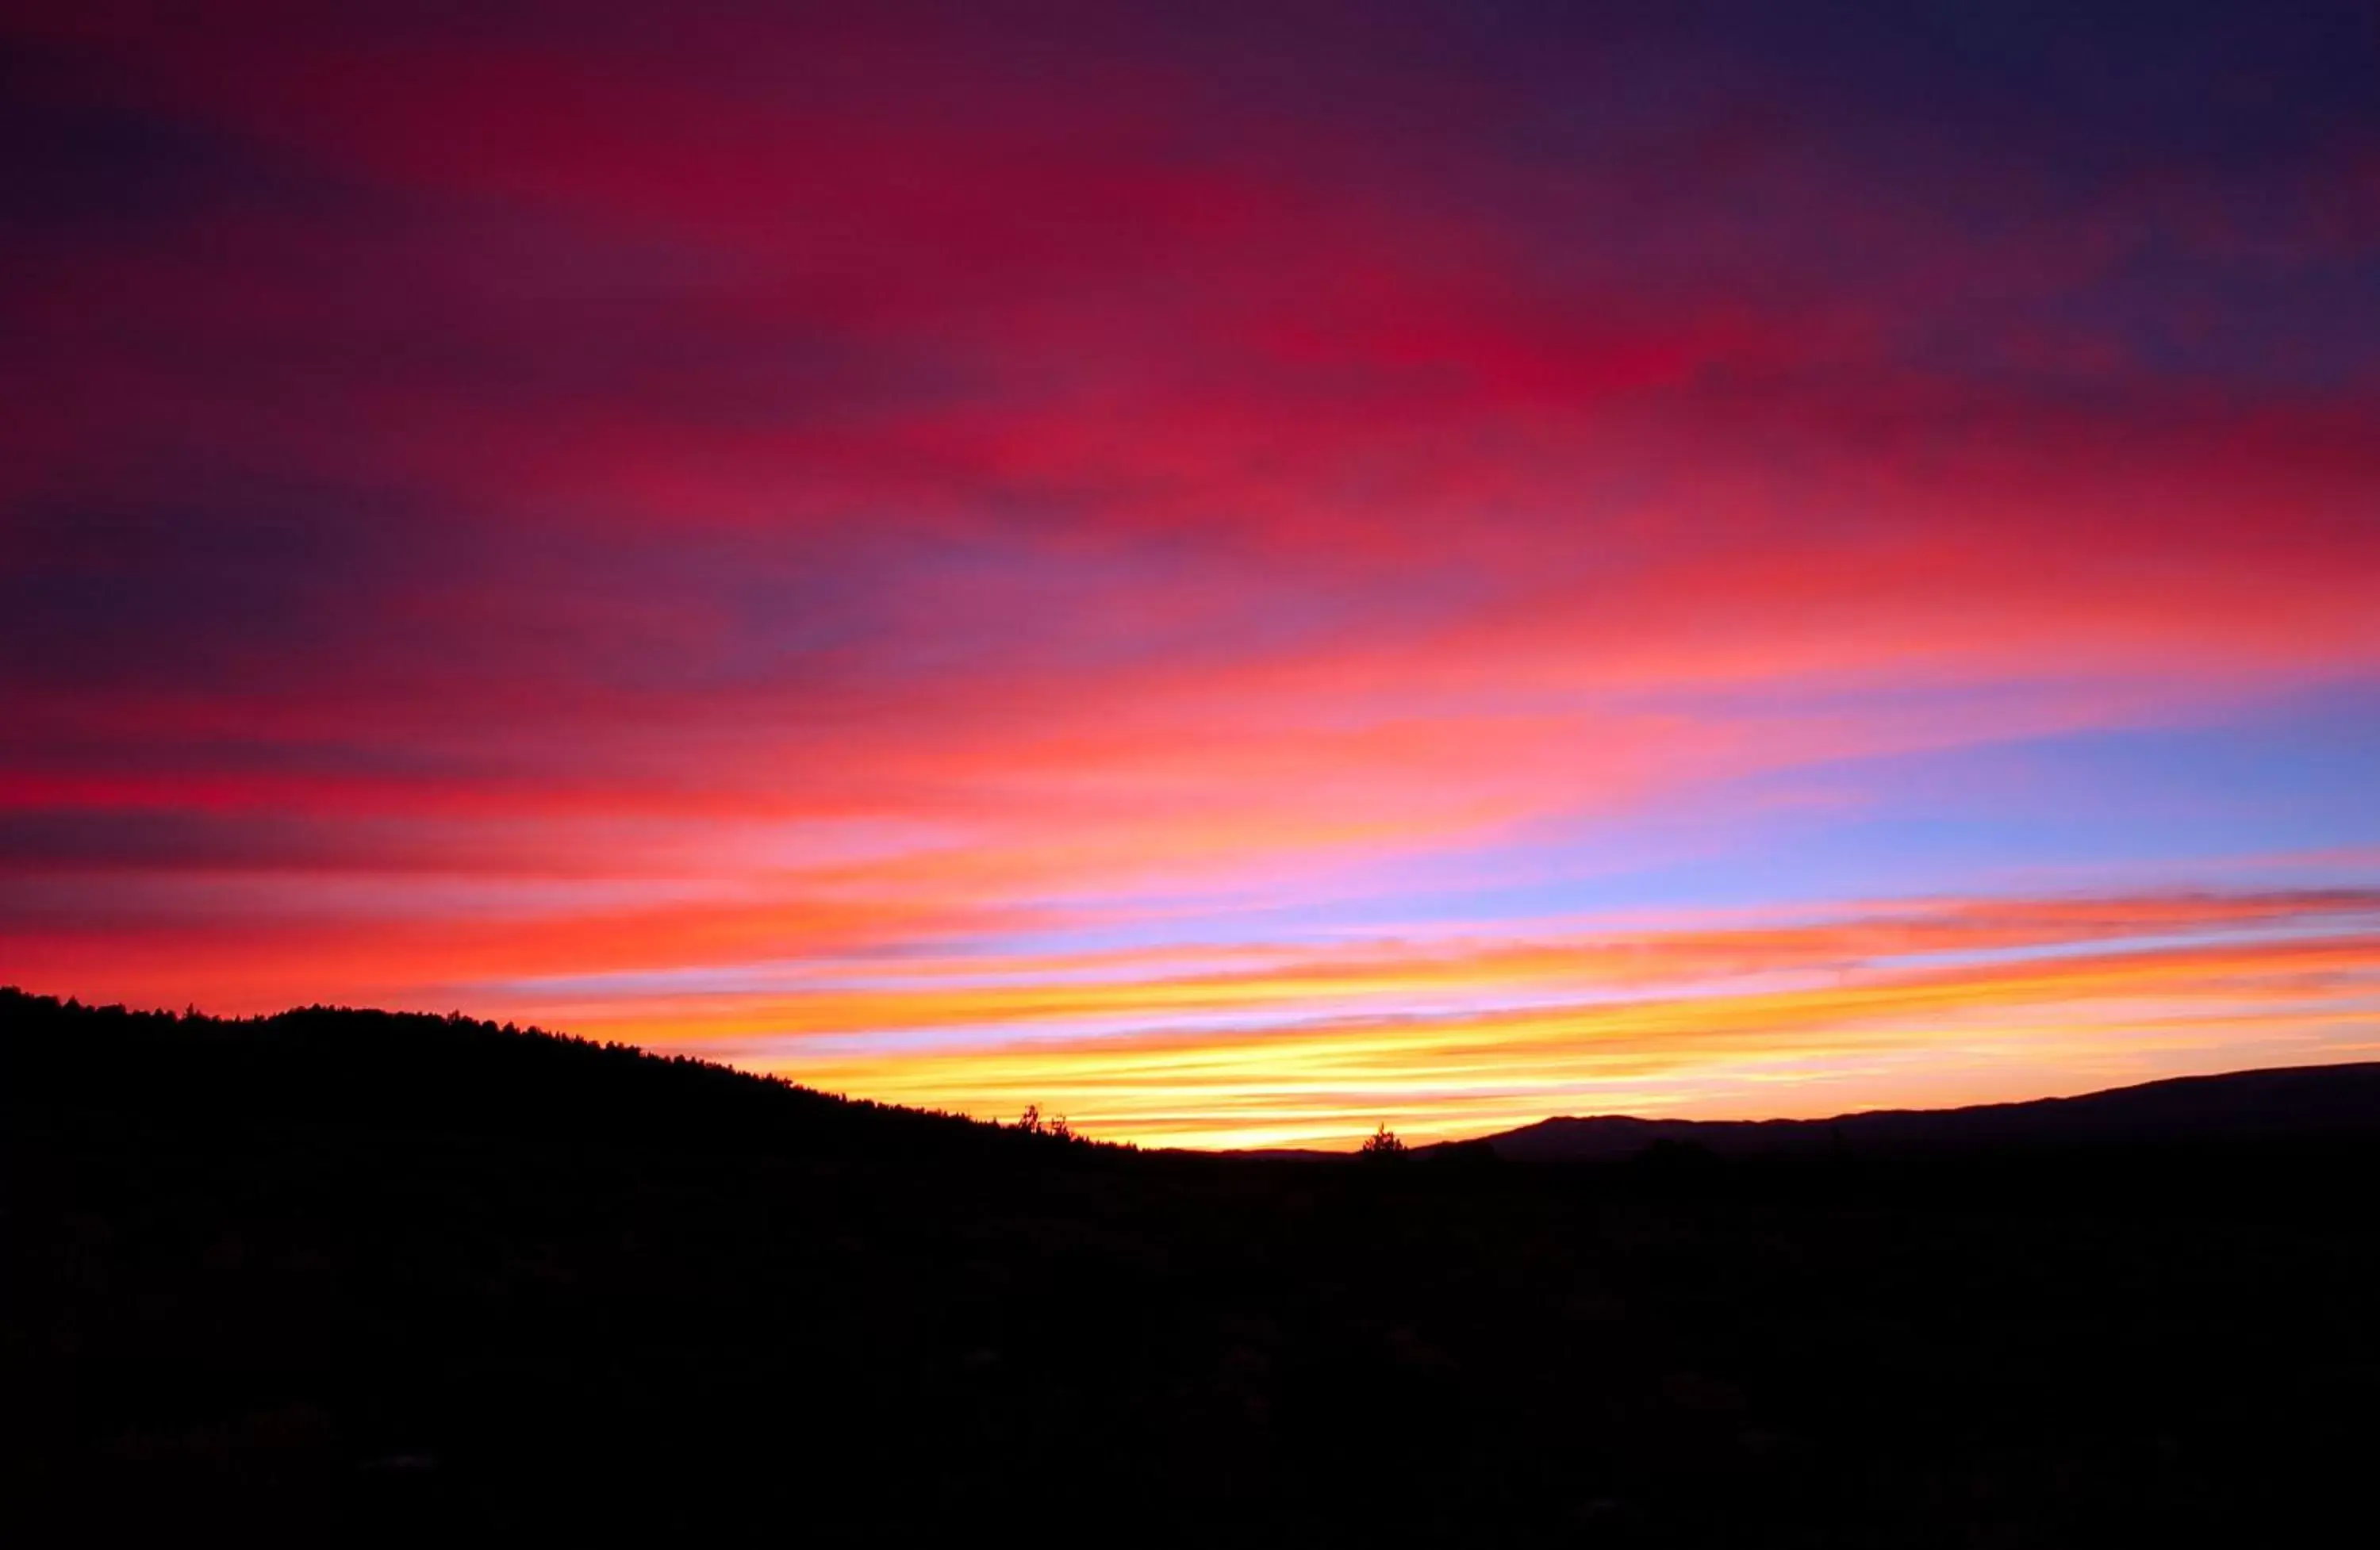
(1086,456)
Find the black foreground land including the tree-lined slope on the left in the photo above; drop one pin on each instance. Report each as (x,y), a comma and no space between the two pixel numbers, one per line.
(356,1277)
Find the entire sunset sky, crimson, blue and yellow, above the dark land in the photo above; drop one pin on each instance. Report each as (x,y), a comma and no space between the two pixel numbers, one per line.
(1227,573)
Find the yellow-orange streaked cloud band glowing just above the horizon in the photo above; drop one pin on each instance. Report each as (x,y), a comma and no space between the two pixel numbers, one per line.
(1441,1042)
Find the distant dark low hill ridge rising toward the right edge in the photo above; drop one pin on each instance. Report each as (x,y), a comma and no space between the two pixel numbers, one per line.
(2293,1104)
